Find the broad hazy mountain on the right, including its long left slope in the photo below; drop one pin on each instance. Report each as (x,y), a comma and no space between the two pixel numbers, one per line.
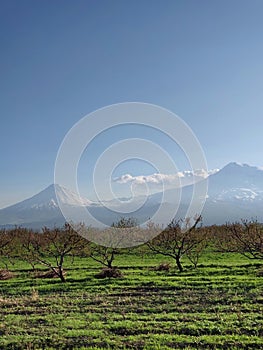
(235,192)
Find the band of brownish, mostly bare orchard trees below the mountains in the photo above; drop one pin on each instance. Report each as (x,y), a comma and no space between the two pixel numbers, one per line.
(52,247)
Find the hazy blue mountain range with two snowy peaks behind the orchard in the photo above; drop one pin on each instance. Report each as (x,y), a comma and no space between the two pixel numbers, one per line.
(234,192)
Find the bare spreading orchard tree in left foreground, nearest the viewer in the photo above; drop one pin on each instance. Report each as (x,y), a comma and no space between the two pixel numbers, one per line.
(51,247)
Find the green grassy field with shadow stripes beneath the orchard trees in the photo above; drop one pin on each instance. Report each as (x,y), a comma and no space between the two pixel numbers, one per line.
(219,305)
